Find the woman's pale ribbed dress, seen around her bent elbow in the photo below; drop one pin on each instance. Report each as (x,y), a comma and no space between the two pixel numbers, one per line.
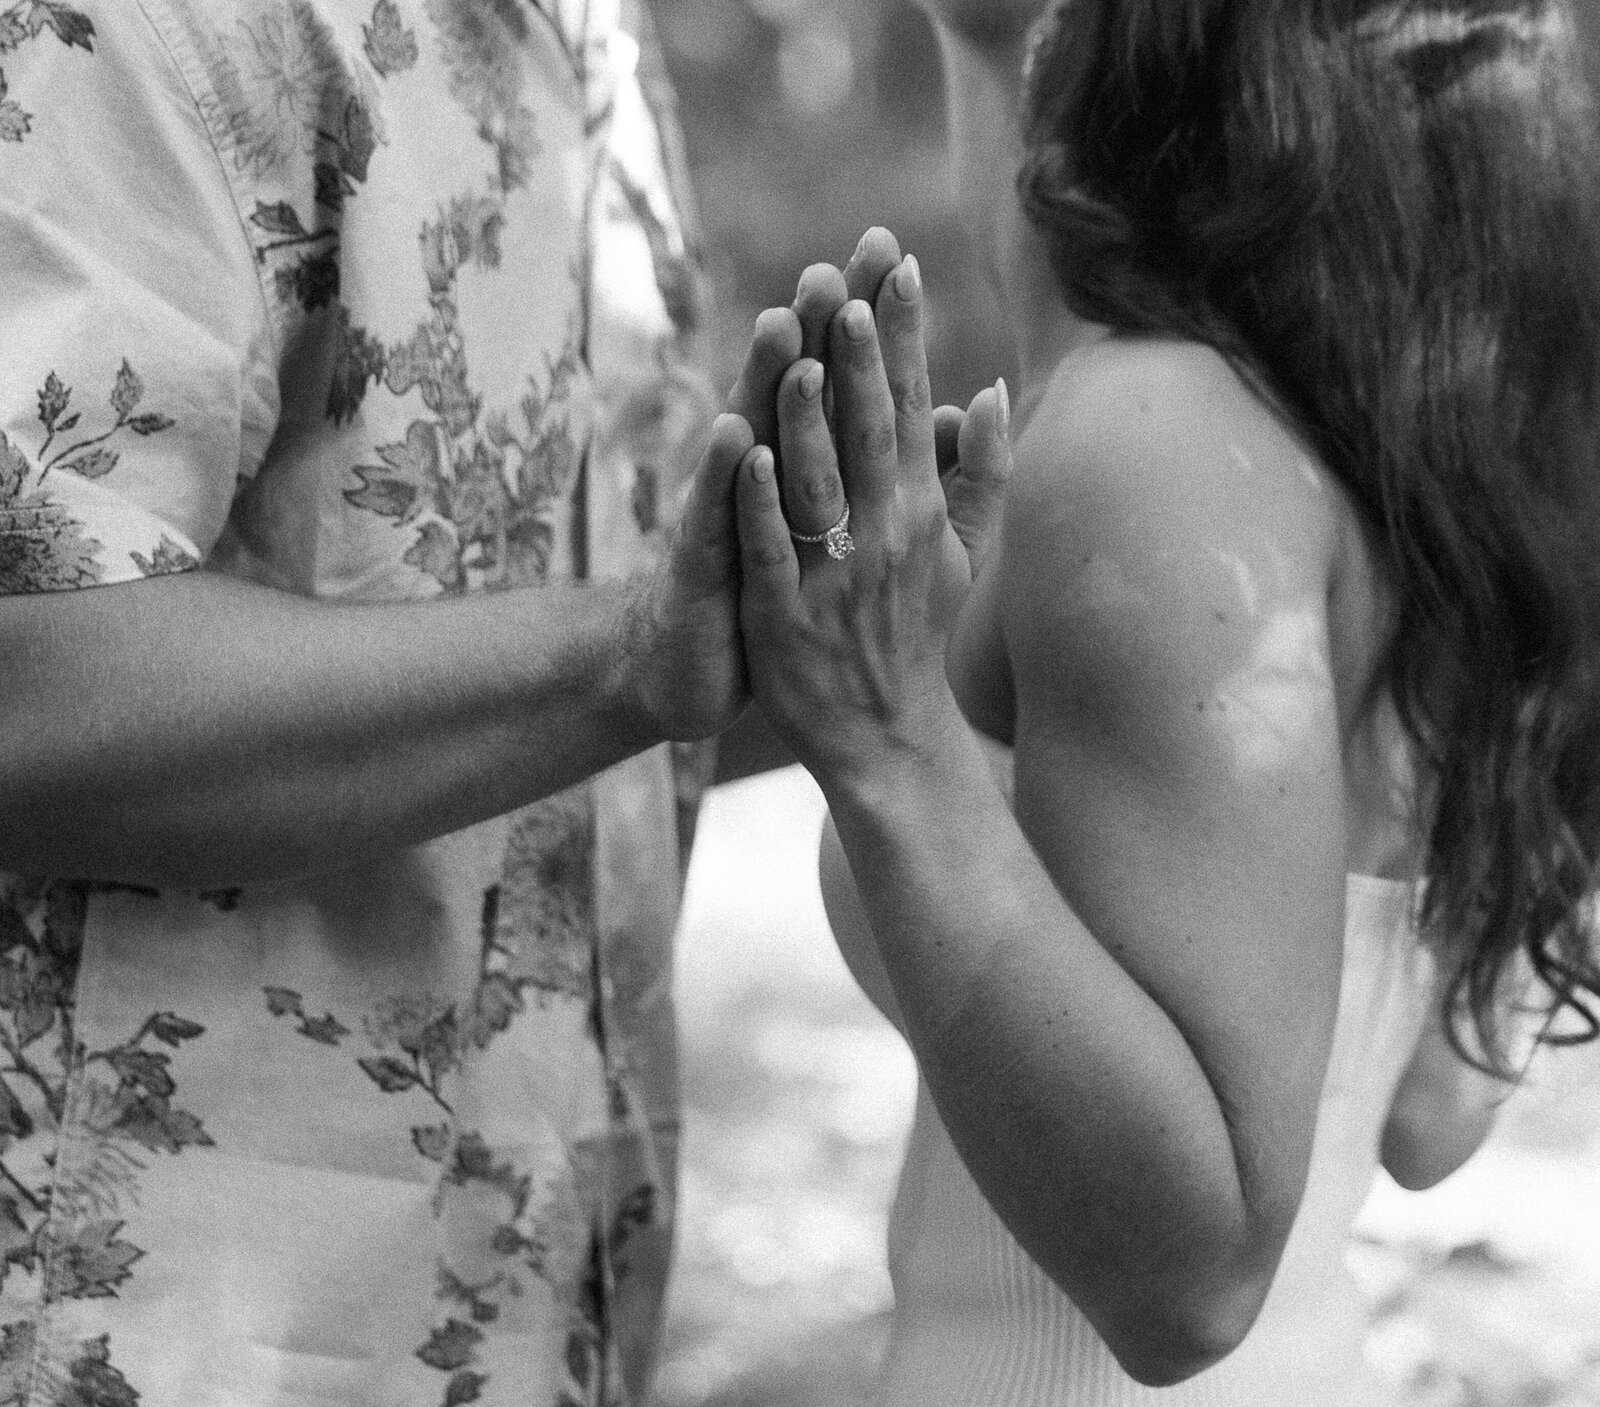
(978,1325)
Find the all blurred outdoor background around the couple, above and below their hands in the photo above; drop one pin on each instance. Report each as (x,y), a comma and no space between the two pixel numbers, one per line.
(807,122)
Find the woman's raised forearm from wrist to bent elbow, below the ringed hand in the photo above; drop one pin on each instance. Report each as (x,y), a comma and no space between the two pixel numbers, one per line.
(1076,1102)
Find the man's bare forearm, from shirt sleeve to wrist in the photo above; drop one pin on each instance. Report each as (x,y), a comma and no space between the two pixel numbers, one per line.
(201,731)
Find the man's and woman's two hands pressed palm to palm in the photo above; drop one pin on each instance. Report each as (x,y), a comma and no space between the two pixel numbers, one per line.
(844,647)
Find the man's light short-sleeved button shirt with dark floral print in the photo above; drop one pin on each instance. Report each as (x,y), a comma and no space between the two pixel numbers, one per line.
(364,300)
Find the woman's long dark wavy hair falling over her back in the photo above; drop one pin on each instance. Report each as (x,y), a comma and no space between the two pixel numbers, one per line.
(1386,215)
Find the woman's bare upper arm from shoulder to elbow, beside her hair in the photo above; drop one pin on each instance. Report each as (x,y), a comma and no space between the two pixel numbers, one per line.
(1178,761)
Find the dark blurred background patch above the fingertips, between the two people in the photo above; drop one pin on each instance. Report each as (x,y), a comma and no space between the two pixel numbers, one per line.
(807,122)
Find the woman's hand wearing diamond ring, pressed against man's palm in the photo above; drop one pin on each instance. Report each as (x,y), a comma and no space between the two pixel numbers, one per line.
(847,657)
